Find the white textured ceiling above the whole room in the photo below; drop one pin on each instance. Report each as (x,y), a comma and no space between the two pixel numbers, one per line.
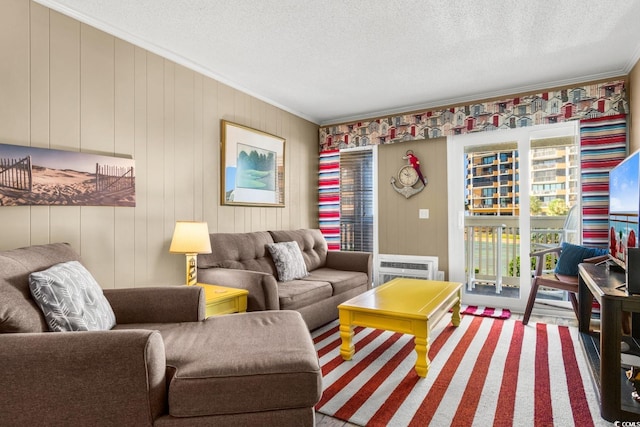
(333,61)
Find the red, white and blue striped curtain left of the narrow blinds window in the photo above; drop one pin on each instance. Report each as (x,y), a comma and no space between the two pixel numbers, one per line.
(329,198)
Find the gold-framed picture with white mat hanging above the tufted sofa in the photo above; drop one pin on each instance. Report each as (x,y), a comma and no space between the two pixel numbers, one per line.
(252,167)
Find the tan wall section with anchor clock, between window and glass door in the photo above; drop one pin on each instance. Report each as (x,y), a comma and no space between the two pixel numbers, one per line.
(400,231)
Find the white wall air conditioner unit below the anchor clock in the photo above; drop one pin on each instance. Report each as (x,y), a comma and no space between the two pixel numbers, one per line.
(411,266)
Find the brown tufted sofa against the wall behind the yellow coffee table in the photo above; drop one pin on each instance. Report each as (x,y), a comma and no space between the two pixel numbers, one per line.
(242,260)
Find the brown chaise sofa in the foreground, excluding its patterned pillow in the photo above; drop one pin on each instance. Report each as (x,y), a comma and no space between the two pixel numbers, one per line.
(163,364)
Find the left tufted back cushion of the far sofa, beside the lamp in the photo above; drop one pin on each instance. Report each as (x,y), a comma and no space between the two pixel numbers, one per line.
(242,251)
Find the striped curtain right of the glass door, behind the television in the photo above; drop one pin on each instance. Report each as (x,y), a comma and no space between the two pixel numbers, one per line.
(603,144)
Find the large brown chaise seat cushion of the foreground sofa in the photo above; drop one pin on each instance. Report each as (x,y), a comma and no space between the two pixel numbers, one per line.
(278,369)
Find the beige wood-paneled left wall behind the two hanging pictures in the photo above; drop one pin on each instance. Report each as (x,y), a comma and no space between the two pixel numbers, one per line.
(66,85)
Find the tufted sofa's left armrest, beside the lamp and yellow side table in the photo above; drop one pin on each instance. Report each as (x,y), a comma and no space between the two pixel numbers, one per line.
(262,287)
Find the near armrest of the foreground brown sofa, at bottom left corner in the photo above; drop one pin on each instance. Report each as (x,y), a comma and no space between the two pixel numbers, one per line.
(82,378)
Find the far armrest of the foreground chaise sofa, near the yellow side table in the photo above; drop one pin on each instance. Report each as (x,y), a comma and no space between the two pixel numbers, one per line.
(169,304)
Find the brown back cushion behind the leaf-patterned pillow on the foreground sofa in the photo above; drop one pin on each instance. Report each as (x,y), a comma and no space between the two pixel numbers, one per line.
(18,310)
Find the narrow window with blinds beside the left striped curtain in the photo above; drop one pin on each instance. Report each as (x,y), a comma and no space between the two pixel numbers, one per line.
(356,200)
